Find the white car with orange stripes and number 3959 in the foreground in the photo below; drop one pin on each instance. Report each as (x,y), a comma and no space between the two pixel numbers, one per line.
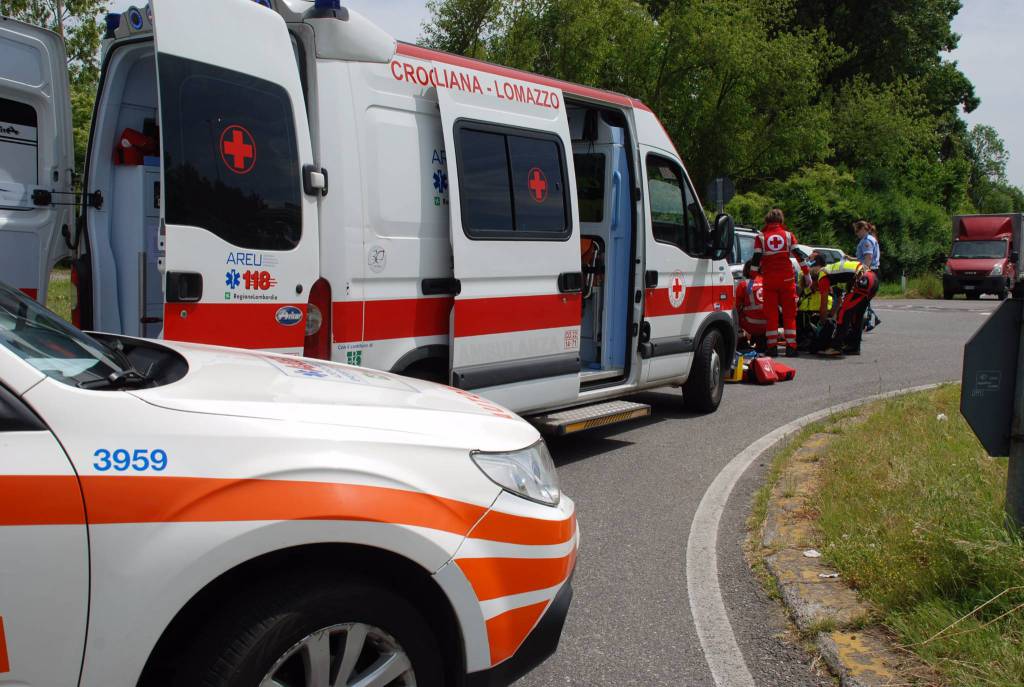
(183,514)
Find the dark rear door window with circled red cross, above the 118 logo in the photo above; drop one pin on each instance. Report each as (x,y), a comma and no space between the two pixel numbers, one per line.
(231,158)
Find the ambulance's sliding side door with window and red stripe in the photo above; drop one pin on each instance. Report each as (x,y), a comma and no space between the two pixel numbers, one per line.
(516,239)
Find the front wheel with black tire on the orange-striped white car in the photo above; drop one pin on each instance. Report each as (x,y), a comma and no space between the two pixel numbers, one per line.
(272,631)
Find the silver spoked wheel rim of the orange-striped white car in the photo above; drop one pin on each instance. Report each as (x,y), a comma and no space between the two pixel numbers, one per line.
(352,655)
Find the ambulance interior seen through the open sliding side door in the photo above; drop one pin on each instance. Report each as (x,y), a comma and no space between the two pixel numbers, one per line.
(601,152)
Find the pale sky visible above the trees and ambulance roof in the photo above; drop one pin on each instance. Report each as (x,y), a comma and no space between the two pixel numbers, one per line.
(991,54)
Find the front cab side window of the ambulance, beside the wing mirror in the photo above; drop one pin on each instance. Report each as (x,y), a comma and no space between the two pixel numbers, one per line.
(673,207)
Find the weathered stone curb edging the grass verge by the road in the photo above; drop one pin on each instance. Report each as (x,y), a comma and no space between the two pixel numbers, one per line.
(821,604)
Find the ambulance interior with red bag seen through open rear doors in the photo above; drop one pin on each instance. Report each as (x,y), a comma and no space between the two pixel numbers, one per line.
(124,167)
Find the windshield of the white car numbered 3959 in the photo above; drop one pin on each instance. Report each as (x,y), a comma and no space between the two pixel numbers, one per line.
(52,346)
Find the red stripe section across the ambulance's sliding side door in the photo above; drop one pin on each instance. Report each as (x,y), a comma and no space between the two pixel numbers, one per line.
(477,317)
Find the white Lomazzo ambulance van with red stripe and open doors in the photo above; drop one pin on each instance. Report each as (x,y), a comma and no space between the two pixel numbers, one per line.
(283,176)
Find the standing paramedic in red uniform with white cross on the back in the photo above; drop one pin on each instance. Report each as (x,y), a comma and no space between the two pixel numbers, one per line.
(773,250)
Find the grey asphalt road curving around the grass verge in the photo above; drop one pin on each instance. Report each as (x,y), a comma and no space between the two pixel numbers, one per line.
(638,486)
